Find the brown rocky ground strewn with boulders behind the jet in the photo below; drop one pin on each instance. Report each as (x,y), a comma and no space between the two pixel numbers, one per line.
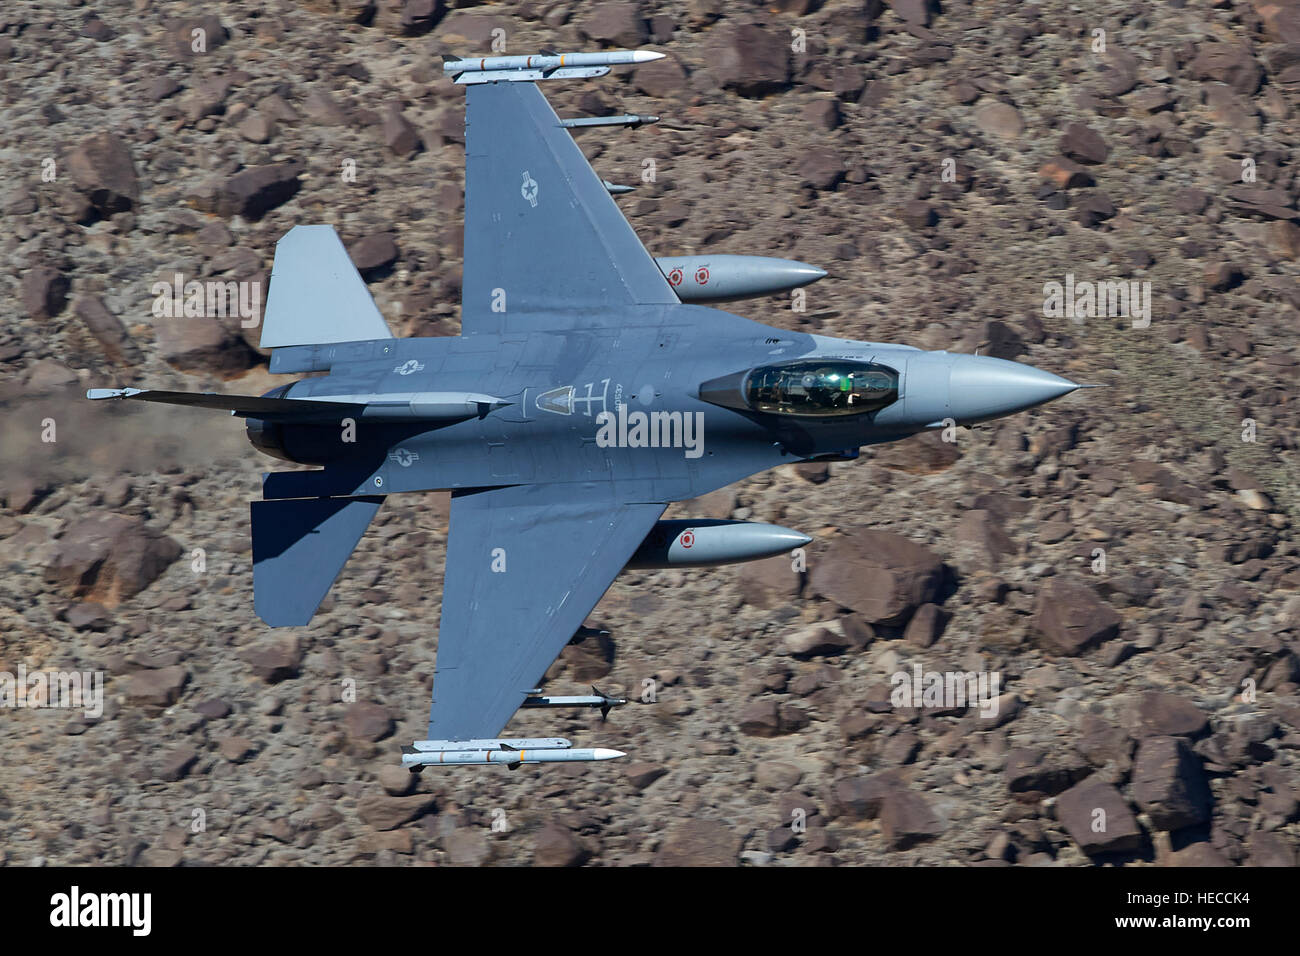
(1124,560)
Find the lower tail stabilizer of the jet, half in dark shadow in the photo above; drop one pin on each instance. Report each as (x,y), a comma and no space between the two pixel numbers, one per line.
(298,550)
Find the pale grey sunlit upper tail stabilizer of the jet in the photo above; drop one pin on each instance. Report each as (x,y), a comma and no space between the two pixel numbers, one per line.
(317,296)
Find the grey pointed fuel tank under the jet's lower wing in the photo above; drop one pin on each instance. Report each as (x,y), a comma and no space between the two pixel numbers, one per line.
(713,542)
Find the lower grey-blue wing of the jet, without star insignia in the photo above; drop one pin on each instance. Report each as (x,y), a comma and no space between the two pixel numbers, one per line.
(526,565)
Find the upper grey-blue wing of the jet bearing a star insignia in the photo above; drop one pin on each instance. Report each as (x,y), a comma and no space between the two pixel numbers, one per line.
(543,235)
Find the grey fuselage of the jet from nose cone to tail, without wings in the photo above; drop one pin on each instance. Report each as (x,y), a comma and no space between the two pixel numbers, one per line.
(593,403)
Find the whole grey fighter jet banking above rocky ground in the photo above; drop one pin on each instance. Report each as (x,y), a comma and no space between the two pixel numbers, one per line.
(582,399)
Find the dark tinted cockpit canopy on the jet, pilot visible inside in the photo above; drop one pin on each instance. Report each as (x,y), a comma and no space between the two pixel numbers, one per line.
(818,388)
